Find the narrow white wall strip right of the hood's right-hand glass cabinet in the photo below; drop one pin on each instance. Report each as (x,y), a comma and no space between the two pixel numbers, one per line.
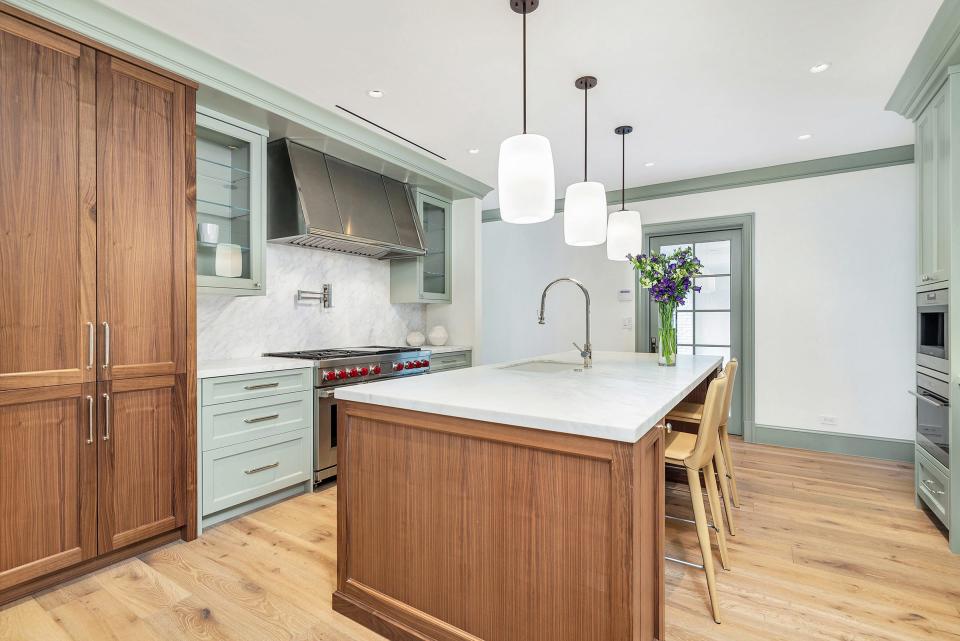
(462,317)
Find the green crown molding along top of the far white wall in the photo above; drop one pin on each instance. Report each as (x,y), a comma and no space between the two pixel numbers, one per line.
(792,171)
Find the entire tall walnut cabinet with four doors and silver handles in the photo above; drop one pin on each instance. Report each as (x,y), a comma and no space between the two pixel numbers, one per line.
(97,370)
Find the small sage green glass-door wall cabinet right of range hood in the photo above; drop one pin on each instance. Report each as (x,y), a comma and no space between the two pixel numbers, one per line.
(427,279)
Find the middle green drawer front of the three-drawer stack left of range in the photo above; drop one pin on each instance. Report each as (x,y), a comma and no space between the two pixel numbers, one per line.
(240,421)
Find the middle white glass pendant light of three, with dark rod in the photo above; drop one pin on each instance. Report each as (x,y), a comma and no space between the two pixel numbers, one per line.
(585,204)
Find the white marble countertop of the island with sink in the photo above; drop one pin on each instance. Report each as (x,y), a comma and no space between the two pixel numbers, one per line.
(620,398)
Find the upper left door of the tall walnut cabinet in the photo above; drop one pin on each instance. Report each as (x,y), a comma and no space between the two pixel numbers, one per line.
(47,207)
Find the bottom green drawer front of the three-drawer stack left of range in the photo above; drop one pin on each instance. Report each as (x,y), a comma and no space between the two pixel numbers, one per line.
(239,473)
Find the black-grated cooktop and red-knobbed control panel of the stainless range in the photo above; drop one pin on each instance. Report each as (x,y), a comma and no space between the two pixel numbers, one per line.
(347,366)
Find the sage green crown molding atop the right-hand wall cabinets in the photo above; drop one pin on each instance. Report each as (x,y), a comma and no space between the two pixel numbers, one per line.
(928,69)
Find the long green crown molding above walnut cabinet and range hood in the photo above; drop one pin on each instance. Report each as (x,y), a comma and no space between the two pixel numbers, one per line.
(115,29)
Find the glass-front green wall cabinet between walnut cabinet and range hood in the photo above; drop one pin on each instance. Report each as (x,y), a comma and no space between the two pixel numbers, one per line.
(231,205)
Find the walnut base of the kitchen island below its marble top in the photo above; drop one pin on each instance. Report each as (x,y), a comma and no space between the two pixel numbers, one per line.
(459,530)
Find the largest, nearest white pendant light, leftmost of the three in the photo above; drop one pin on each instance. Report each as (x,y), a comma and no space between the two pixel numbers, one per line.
(525,175)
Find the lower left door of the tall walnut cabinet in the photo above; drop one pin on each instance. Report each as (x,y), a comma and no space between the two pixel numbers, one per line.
(47,481)
